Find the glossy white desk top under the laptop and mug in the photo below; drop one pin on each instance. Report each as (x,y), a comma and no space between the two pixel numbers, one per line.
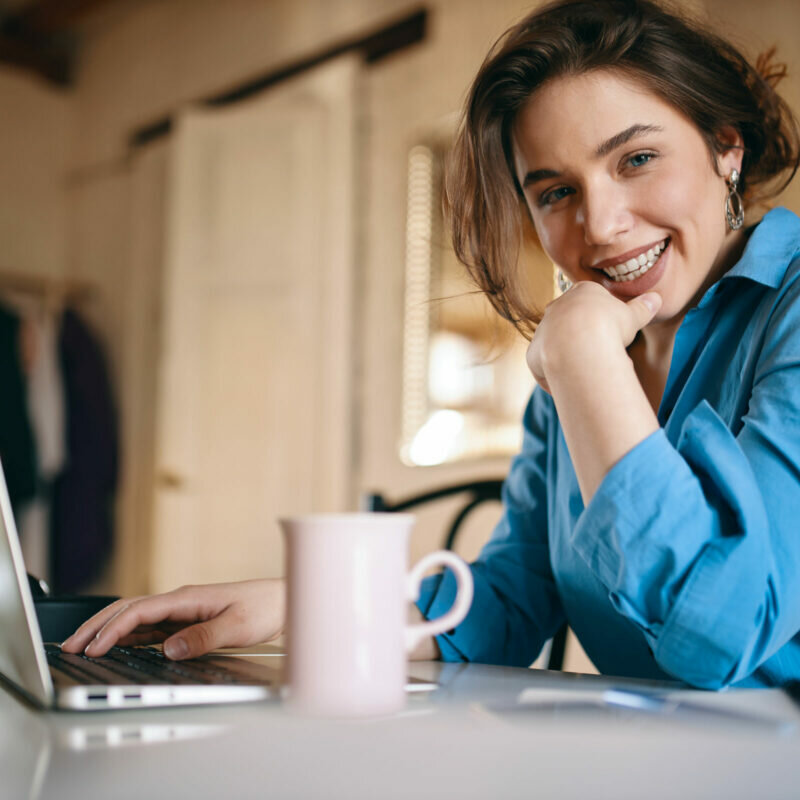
(447,744)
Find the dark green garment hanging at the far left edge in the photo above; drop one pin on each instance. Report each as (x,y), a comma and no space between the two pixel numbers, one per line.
(17,447)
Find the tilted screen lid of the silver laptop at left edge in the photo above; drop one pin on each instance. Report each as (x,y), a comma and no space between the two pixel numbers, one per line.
(22,659)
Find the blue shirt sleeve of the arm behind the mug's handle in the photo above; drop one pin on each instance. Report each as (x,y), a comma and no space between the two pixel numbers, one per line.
(516,607)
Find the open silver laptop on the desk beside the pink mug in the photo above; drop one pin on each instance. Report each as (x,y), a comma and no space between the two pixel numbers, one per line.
(127,677)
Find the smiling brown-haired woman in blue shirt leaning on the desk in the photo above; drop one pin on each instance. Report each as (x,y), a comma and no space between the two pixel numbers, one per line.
(653,505)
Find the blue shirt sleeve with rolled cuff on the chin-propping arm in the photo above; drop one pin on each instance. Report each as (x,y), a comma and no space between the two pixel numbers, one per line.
(698,541)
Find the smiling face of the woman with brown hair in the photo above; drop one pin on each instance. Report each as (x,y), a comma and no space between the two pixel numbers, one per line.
(622,189)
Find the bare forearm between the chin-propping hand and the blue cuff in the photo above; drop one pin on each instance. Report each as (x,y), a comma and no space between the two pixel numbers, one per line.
(602,408)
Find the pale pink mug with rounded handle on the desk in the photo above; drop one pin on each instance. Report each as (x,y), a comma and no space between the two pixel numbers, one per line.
(348,594)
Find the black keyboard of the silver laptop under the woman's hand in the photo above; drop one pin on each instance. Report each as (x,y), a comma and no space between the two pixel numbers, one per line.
(140,665)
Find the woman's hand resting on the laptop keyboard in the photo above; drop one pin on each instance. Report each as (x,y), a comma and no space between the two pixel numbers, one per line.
(190,621)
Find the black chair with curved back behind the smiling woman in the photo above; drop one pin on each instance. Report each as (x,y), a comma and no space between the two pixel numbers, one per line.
(476,492)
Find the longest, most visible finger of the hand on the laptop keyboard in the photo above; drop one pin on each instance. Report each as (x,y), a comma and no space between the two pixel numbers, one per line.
(176,607)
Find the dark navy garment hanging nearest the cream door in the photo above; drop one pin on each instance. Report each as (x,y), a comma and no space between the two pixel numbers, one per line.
(82,504)
